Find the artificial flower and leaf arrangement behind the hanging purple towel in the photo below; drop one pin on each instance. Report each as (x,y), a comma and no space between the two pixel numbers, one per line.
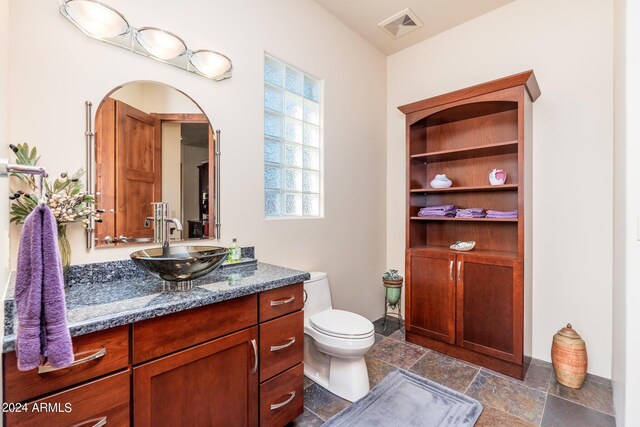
(64,196)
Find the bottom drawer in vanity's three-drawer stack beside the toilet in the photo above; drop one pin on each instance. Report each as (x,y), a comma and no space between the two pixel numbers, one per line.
(282,397)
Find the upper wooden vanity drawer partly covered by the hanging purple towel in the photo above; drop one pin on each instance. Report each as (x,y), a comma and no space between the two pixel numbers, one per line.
(103,352)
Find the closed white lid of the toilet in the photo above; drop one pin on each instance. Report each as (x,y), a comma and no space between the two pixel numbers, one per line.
(341,324)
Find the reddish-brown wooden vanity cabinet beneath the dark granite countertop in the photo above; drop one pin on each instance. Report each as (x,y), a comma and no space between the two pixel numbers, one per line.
(234,363)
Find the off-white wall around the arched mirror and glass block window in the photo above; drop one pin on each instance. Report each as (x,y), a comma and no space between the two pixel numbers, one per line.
(56,68)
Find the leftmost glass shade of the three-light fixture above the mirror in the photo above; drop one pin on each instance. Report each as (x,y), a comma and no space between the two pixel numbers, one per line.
(96,19)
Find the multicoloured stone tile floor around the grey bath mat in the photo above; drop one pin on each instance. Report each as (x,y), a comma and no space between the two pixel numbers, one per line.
(539,400)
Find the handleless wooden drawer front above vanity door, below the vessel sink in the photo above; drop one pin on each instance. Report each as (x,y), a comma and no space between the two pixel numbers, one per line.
(159,336)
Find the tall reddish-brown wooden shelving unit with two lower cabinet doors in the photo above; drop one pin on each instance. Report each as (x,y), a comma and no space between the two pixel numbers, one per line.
(471,305)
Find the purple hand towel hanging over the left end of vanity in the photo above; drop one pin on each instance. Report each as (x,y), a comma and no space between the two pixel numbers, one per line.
(40,302)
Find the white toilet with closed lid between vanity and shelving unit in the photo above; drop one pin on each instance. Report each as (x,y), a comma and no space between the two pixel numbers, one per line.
(335,342)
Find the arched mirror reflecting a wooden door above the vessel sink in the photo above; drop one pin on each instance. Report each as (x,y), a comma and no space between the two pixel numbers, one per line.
(153,144)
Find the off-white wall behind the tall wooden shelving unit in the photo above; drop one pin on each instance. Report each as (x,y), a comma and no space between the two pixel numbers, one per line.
(569,46)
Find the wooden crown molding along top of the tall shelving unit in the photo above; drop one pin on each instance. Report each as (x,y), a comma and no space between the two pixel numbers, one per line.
(526,78)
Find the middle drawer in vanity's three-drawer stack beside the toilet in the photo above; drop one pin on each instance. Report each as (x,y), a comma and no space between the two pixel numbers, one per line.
(281,344)
